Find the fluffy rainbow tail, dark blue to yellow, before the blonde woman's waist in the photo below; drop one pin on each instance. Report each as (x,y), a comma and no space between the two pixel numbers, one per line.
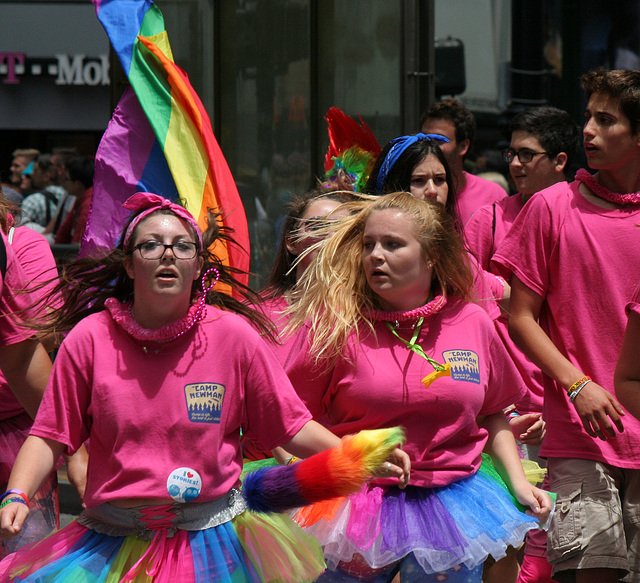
(336,472)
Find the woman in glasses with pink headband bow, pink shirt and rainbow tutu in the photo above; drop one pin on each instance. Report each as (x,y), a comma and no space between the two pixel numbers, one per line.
(160,373)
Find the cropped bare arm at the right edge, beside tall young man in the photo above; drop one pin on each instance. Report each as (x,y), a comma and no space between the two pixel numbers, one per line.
(627,376)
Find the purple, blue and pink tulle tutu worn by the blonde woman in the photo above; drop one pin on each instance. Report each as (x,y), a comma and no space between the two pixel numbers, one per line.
(462,523)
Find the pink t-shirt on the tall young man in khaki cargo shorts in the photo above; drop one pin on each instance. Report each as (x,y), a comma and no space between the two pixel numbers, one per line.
(583,260)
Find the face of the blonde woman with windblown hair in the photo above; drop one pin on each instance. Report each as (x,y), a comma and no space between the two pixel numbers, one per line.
(394,262)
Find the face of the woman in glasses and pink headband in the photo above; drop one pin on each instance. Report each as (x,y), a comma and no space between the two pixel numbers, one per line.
(166,279)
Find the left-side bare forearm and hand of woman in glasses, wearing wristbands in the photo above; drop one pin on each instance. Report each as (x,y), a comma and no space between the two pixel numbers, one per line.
(34,463)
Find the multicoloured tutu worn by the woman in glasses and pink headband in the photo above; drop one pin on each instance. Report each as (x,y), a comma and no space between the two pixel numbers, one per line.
(249,547)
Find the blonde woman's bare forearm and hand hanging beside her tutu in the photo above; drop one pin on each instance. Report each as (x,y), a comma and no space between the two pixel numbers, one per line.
(501,446)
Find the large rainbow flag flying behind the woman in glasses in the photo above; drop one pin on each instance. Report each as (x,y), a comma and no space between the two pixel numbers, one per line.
(159,139)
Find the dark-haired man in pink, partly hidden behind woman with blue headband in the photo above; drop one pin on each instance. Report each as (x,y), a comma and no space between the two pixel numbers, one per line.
(452,119)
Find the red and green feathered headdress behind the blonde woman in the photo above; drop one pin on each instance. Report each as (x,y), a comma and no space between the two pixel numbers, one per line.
(353,150)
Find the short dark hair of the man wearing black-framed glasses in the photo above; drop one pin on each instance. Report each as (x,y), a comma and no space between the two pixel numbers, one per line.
(554,128)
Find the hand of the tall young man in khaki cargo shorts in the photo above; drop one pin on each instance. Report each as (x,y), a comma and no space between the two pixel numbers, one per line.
(596,408)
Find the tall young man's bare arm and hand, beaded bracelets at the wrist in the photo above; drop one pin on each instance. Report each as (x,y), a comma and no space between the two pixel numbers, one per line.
(596,407)
